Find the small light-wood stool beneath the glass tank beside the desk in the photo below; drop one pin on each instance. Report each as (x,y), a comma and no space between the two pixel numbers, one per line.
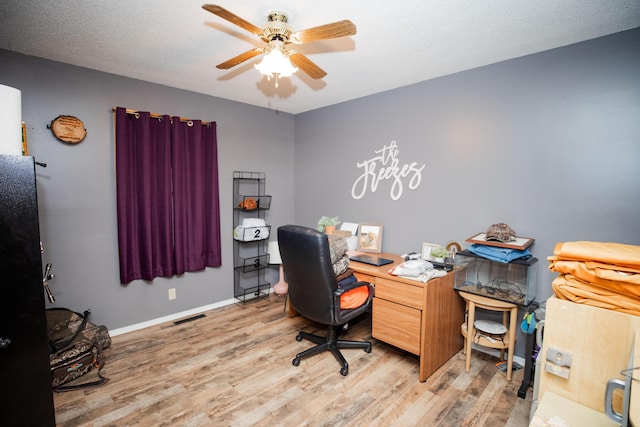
(505,342)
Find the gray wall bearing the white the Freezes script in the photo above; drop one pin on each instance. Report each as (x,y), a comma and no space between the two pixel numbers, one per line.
(548,143)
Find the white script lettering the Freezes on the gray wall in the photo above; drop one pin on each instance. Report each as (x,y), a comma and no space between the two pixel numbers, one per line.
(383,167)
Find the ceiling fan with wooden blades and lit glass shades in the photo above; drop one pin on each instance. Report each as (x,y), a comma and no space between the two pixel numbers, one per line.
(278,34)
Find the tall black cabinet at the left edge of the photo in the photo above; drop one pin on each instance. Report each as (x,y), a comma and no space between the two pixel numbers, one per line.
(27,397)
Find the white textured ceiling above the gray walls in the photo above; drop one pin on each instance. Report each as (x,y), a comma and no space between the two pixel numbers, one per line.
(176,43)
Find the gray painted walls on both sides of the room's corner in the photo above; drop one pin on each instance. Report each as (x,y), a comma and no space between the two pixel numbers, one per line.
(549,143)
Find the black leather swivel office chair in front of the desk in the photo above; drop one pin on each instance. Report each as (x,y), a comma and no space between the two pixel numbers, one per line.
(314,293)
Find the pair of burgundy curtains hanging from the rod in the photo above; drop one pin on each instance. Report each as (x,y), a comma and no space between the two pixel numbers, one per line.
(167,193)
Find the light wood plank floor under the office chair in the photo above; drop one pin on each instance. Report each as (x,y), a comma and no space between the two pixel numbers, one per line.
(233,368)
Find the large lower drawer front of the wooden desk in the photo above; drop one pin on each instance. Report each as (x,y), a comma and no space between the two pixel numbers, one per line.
(396,324)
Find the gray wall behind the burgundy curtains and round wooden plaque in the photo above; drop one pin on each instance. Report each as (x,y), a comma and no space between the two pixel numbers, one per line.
(77,194)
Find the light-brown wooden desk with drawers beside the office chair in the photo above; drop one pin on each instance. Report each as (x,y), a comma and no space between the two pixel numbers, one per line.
(421,318)
